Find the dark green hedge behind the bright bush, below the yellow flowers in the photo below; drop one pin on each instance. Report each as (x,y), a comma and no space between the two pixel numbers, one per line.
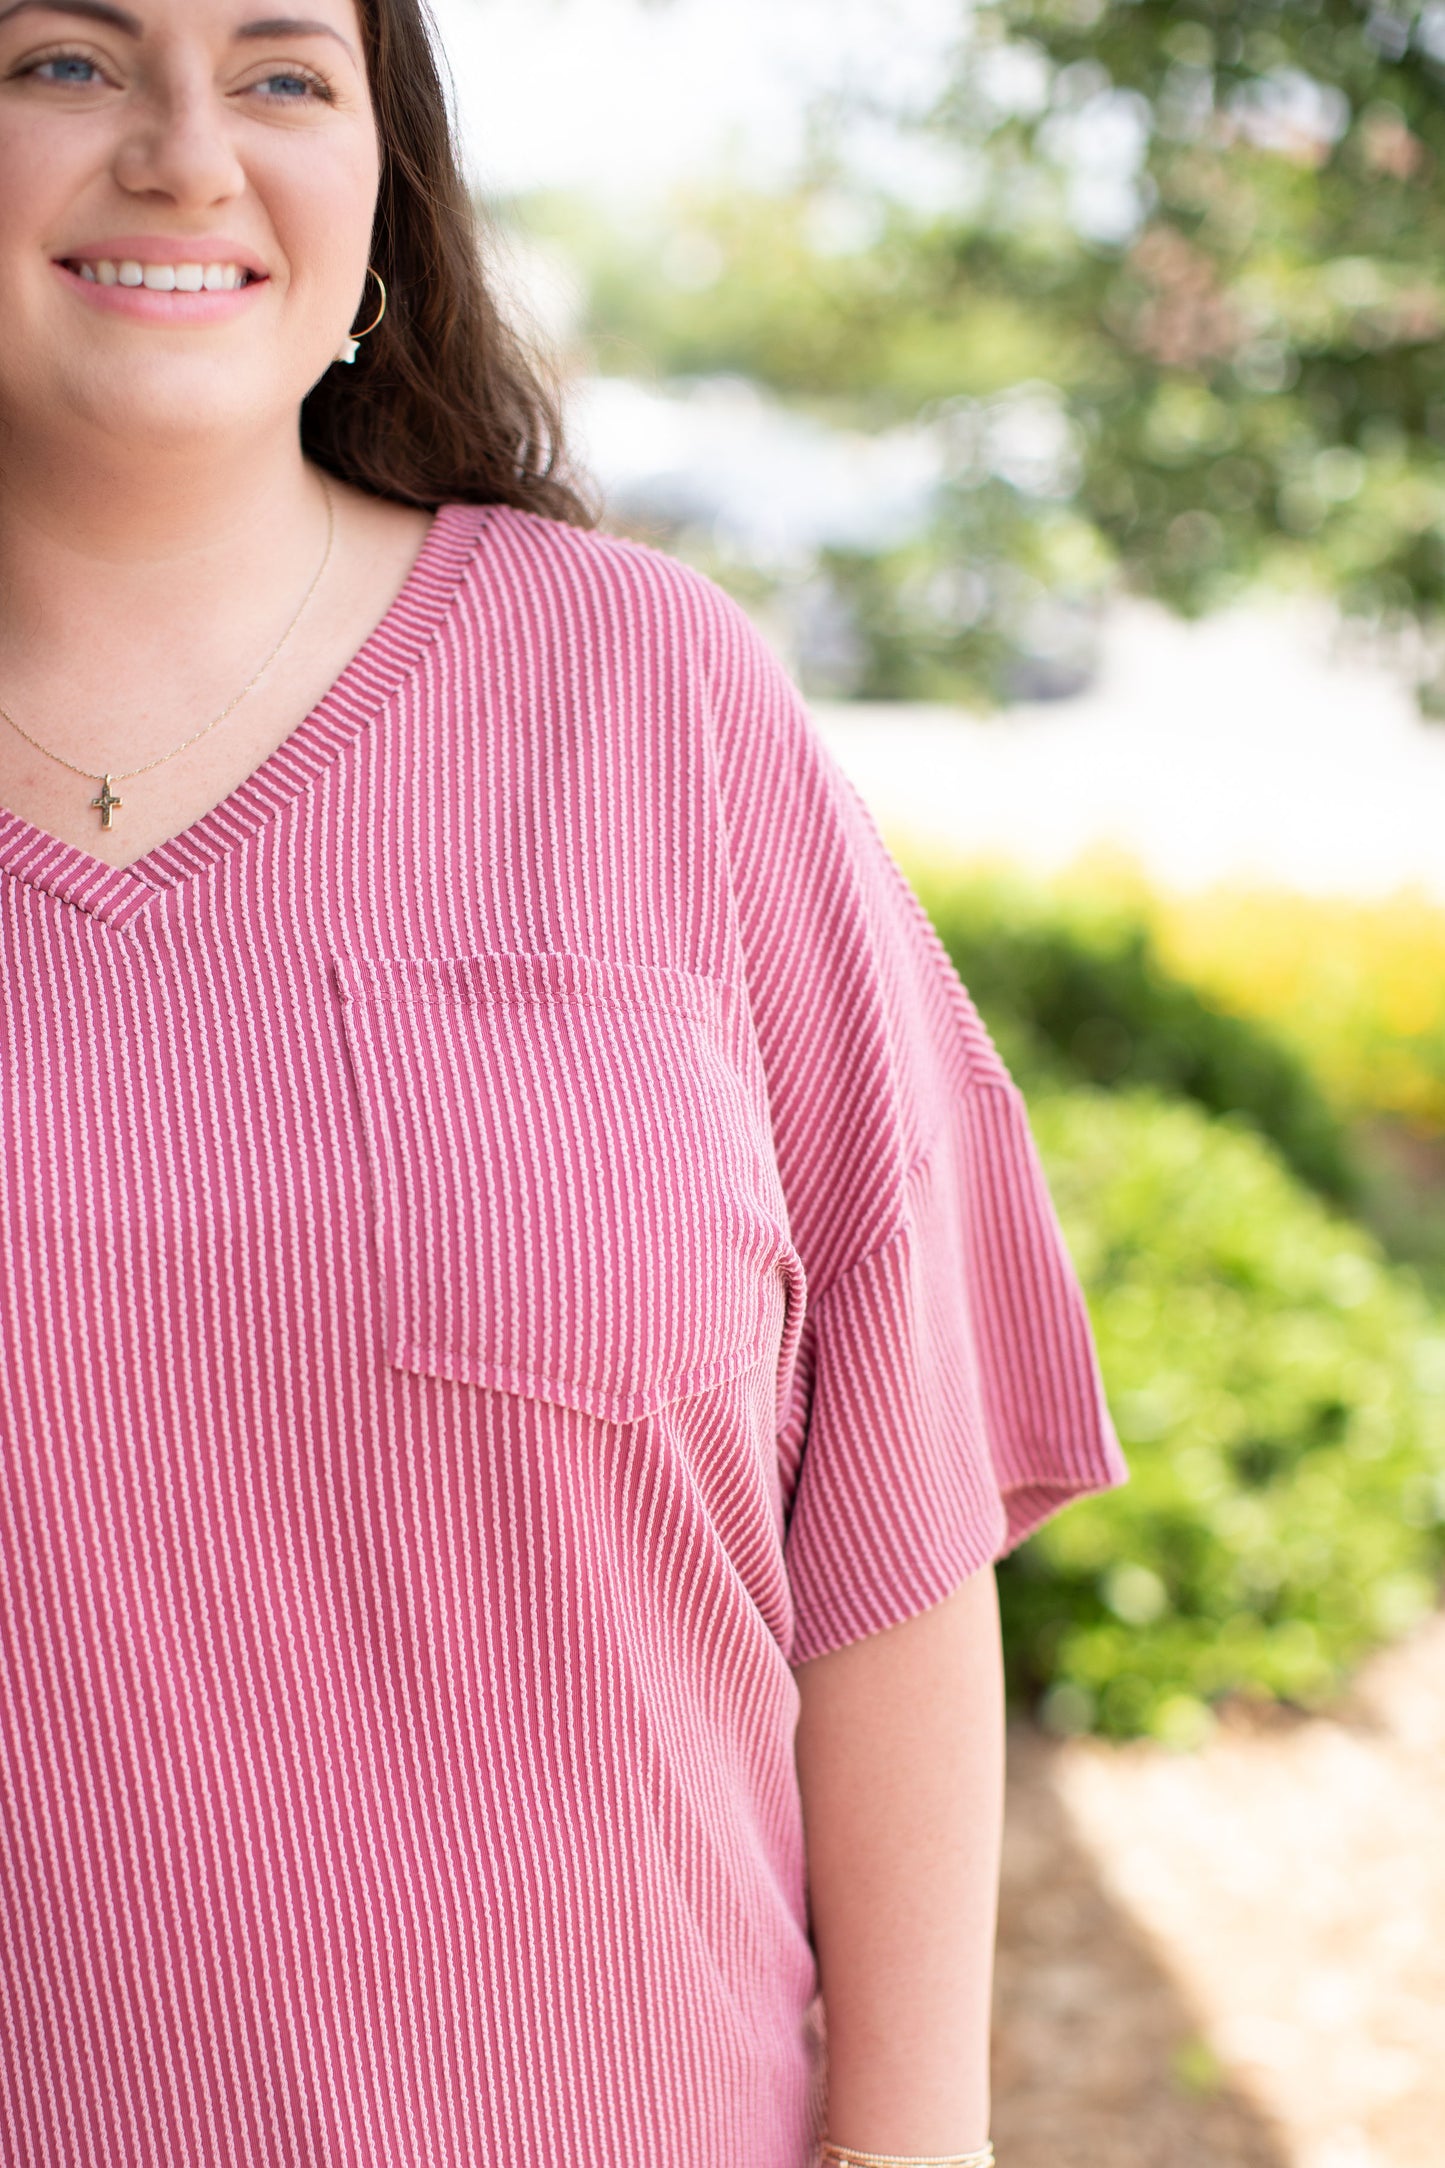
(1078,996)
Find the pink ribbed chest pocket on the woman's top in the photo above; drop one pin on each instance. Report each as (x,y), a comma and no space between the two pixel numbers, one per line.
(575,1193)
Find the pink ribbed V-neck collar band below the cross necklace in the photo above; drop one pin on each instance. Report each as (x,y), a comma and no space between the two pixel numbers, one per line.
(118,892)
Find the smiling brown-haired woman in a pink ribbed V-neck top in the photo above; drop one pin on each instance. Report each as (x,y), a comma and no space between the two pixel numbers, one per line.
(530,1304)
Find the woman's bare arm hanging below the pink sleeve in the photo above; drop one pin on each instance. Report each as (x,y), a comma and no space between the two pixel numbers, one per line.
(900,1761)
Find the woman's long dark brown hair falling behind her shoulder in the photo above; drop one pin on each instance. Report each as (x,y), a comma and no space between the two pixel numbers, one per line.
(445,402)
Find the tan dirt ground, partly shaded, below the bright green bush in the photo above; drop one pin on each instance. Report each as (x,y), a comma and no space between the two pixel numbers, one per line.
(1232,1959)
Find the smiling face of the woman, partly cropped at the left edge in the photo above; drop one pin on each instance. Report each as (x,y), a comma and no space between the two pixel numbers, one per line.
(185,216)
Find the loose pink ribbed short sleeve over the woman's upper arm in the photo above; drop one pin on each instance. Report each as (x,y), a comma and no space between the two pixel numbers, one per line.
(941,1395)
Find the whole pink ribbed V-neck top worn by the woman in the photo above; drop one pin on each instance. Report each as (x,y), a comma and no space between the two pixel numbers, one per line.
(512,1237)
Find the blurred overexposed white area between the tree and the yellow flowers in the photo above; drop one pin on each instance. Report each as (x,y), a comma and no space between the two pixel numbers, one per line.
(1258,745)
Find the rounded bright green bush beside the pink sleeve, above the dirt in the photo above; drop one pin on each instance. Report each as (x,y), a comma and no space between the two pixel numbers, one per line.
(1281,1399)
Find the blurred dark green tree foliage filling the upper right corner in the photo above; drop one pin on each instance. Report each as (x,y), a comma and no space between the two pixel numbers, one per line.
(1271,372)
